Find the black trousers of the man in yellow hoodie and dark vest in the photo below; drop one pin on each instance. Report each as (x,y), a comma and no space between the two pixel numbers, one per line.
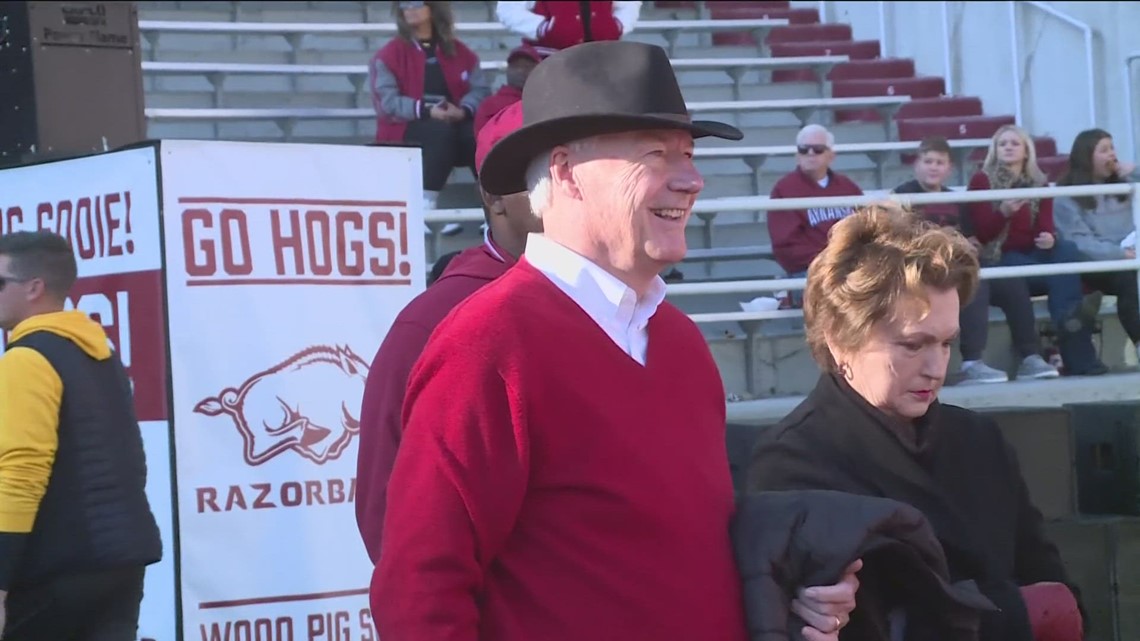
(102,606)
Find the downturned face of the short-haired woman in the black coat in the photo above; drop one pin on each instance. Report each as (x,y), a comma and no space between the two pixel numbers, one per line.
(901,367)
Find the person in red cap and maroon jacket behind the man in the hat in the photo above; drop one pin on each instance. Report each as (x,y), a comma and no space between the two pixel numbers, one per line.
(509,221)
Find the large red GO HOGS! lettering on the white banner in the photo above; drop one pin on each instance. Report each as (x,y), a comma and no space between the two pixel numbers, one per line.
(314,242)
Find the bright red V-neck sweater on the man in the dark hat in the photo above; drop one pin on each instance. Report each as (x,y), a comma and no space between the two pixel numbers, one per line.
(550,489)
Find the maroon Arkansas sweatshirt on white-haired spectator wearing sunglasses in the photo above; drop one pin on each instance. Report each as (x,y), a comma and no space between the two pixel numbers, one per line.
(800,236)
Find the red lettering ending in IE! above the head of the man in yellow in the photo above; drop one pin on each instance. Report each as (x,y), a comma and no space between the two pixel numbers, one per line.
(97,226)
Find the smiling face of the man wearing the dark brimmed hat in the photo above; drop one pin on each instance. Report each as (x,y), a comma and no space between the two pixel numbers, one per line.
(634,193)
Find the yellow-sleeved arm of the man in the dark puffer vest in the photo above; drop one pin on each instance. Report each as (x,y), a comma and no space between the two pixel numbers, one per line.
(30,397)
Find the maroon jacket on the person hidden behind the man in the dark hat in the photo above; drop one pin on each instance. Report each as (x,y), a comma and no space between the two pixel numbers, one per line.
(388,378)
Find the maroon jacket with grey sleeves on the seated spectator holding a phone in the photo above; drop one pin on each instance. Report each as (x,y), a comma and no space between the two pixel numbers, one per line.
(406,62)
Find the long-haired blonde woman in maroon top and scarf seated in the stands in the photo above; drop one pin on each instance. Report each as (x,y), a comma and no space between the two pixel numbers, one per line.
(1021,232)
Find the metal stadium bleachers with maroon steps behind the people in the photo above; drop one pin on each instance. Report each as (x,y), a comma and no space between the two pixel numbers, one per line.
(296,71)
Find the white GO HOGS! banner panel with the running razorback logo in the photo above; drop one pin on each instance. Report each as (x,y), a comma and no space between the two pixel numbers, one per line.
(286,266)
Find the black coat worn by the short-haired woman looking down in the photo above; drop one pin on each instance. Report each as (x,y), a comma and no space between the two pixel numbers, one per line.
(959,472)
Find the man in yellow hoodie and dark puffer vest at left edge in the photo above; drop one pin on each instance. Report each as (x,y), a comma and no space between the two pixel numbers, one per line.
(77,532)
